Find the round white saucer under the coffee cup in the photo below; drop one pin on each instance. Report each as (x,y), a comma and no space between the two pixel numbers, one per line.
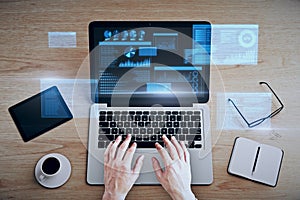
(58,180)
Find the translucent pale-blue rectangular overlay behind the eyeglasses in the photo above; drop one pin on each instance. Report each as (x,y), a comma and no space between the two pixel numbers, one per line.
(252,105)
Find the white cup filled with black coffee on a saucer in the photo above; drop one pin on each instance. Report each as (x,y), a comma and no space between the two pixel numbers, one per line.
(49,168)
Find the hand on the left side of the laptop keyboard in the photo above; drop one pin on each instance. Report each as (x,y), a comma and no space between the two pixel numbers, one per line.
(118,175)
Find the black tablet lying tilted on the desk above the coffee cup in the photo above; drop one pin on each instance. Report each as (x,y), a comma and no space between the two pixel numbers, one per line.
(40,113)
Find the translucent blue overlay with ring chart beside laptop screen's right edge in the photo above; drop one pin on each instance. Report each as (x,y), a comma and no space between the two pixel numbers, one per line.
(234,44)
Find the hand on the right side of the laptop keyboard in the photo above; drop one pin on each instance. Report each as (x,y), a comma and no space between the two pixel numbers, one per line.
(176,178)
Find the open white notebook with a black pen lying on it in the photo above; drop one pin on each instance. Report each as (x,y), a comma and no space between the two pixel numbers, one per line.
(255,161)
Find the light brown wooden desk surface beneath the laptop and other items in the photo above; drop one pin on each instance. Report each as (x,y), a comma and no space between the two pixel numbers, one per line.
(25,59)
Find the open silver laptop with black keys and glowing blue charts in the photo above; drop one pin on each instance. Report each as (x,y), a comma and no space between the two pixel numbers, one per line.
(150,78)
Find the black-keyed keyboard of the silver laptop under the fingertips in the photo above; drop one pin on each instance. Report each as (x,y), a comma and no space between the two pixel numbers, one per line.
(148,127)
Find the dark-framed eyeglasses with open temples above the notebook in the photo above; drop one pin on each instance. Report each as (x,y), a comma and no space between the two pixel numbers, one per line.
(261,120)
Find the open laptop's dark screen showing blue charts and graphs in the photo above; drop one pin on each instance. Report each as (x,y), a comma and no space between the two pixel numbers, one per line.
(150,63)
